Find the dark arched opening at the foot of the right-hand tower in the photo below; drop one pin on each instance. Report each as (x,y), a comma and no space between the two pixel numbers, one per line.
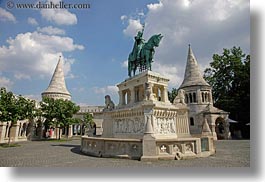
(221,128)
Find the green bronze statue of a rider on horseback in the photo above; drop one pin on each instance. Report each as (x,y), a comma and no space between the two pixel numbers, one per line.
(142,54)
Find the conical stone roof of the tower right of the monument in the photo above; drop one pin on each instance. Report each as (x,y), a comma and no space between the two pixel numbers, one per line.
(193,75)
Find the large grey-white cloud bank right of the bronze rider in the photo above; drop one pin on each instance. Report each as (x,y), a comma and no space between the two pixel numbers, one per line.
(209,26)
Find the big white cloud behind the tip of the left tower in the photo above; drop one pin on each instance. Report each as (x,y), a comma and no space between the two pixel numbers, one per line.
(40,55)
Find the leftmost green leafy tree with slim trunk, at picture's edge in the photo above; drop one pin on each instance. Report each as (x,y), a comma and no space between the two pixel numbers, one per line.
(14,108)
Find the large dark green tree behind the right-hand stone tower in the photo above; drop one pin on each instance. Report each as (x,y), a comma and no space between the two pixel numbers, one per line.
(229,77)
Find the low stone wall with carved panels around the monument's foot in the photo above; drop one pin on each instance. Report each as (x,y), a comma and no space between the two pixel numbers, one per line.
(158,149)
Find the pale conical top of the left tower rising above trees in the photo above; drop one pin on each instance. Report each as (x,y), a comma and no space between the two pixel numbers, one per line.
(57,87)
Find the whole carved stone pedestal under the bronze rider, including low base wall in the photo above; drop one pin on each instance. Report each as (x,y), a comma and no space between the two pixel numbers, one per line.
(145,125)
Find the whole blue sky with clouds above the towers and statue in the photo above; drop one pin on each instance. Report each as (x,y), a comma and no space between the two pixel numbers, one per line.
(95,42)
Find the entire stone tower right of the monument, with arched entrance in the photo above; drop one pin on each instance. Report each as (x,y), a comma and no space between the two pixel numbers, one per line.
(198,97)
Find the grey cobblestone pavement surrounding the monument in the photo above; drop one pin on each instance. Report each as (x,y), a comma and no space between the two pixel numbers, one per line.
(230,153)
